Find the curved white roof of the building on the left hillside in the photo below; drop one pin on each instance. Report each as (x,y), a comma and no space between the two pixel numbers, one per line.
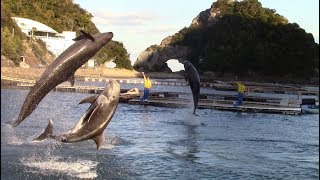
(28,24)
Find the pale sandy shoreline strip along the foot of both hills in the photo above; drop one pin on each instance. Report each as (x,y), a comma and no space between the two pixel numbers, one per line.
(101,72)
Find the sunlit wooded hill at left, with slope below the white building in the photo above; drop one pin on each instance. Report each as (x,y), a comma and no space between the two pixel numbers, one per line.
(61,15)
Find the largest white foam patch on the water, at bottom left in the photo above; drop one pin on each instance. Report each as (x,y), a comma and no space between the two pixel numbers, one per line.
(85,169)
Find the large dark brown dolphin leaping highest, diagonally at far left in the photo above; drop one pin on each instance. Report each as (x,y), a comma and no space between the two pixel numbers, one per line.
(62,69)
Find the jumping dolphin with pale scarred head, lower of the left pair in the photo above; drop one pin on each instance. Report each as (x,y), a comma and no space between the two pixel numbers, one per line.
(93,122)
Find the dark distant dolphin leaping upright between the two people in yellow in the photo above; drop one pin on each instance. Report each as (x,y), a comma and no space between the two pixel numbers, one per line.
(193,79)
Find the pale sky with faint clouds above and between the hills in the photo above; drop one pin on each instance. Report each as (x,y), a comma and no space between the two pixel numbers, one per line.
(141,23)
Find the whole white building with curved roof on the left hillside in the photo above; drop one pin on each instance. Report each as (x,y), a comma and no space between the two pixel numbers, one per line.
(56,42)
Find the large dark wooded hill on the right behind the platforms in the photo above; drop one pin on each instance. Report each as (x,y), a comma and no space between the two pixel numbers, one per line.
(239,38)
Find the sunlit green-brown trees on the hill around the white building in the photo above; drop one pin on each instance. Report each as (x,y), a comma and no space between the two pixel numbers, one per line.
(64,15)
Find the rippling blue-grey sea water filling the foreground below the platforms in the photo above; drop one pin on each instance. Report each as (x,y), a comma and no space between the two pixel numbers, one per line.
(158,143)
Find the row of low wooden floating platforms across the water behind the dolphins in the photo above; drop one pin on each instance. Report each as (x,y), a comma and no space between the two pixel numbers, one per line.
(175,99)
